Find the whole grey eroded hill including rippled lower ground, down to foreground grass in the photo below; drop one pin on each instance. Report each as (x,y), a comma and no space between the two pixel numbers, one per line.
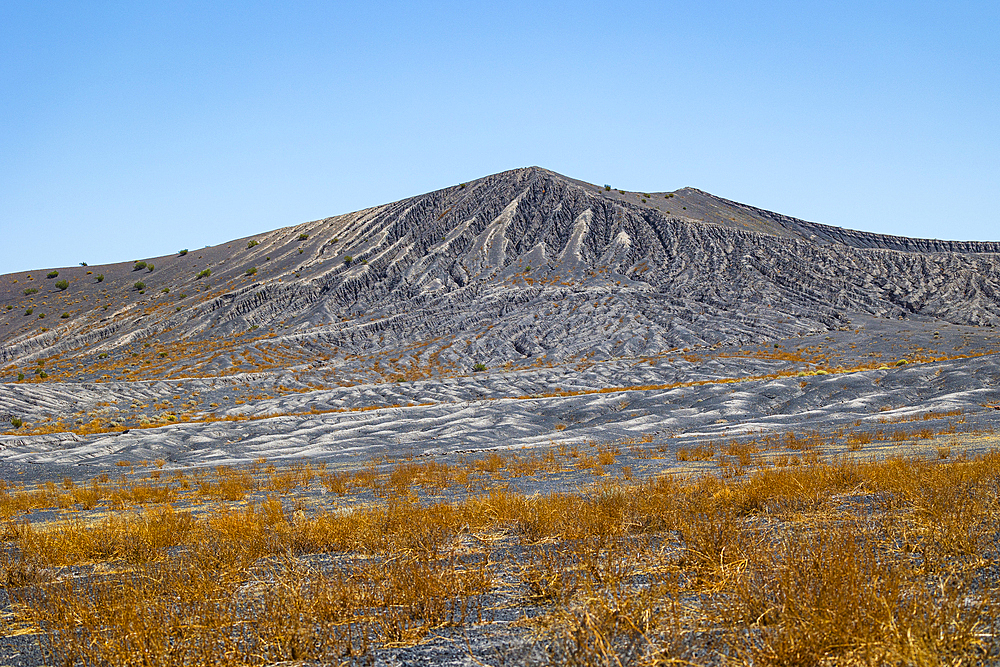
(593,313)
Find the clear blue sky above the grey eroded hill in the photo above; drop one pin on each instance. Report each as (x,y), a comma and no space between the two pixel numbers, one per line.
(134,129)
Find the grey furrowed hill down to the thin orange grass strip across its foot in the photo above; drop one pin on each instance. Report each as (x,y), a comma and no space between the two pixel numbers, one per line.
(521,270)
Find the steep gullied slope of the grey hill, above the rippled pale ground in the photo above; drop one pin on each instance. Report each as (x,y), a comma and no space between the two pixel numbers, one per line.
(510,268)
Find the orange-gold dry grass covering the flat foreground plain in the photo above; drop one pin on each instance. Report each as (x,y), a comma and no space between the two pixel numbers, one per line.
(842,562)
